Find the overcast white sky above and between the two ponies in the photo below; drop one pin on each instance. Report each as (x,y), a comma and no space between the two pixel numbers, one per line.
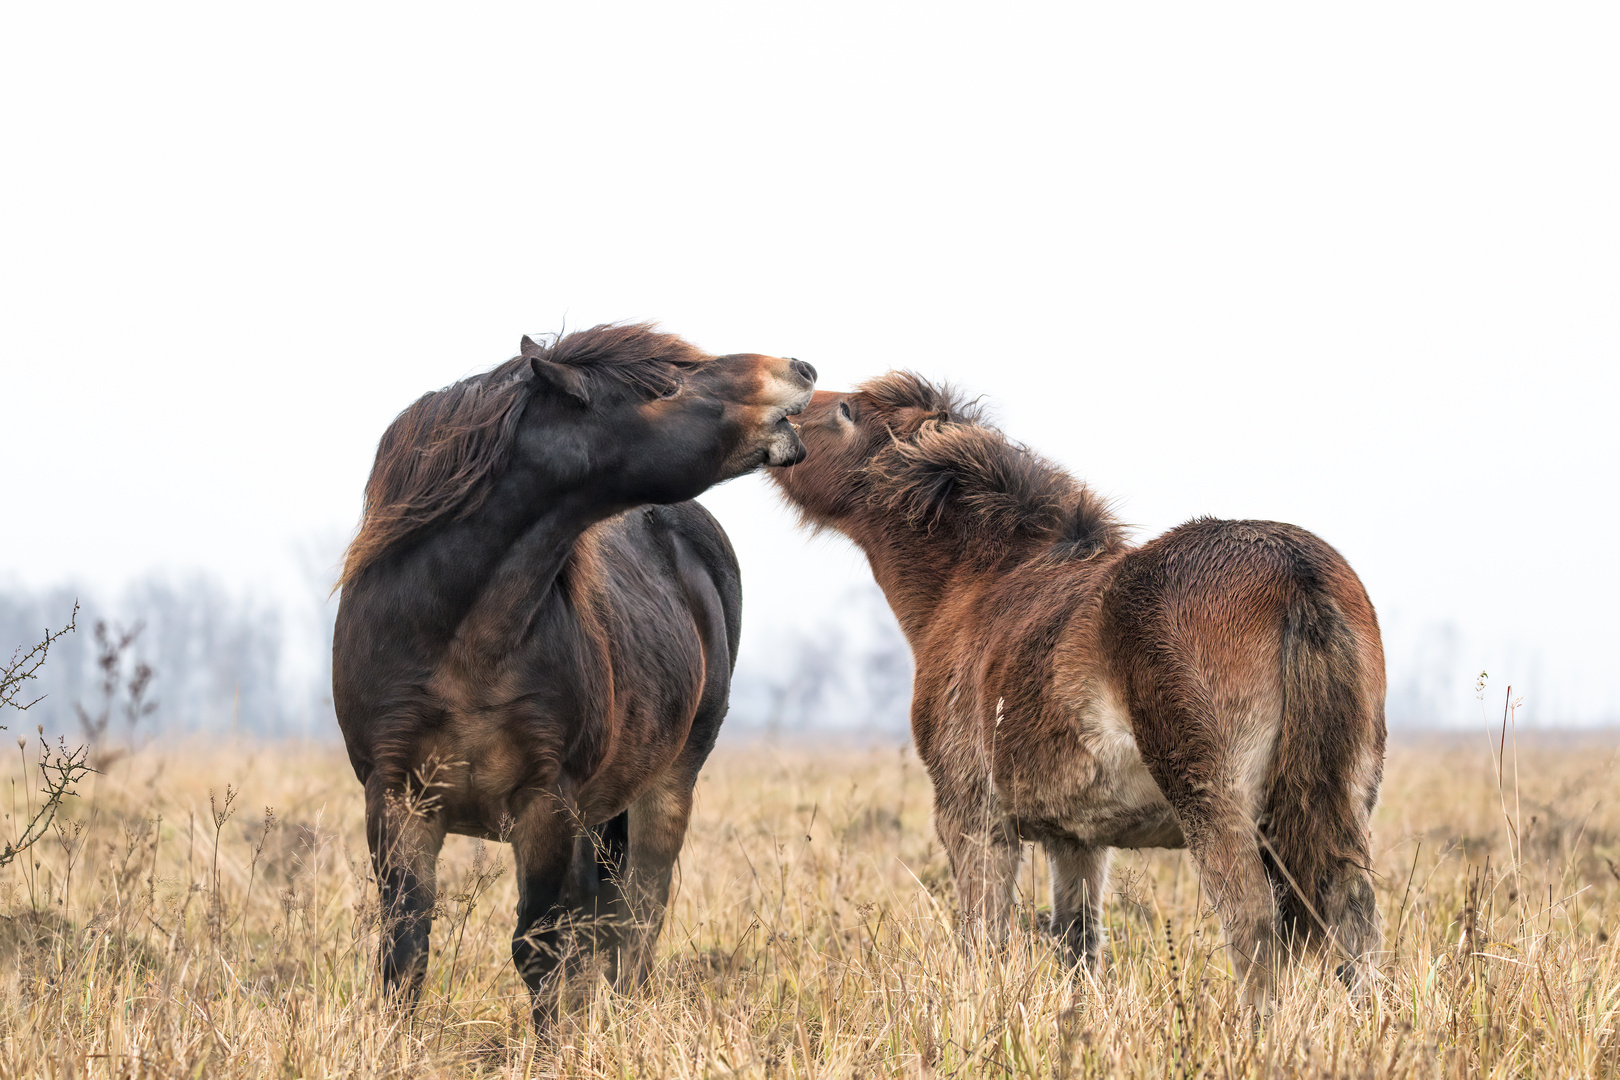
(1354,268)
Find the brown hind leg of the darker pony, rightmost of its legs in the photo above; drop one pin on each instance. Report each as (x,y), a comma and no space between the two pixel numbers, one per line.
(659,827)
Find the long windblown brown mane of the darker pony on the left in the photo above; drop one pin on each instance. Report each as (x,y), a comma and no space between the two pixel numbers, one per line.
(441,456)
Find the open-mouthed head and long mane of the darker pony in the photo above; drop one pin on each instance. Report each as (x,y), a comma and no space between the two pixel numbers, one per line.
(612,417)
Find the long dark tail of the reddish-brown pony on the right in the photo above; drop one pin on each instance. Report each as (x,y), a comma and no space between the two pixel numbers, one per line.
(1316,814)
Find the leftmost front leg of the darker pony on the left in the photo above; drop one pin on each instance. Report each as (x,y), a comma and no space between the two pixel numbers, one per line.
(404,838)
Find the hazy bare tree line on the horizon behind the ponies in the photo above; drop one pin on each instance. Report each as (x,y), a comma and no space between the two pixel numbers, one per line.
(195,657)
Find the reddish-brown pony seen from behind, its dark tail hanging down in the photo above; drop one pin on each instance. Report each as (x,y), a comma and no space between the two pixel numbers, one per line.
(1217,689)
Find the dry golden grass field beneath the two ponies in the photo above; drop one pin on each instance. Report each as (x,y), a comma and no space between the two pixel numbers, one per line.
(179,927)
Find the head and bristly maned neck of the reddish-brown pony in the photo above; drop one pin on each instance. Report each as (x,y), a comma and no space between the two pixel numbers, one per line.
(906,456)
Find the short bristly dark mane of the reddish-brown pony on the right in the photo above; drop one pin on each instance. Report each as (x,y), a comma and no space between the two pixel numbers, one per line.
(957,472)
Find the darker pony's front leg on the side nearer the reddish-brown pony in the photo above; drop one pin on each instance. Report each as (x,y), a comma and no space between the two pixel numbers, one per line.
(542,848)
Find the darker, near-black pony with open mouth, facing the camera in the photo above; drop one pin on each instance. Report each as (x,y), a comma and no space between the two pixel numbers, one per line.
(537,631)
